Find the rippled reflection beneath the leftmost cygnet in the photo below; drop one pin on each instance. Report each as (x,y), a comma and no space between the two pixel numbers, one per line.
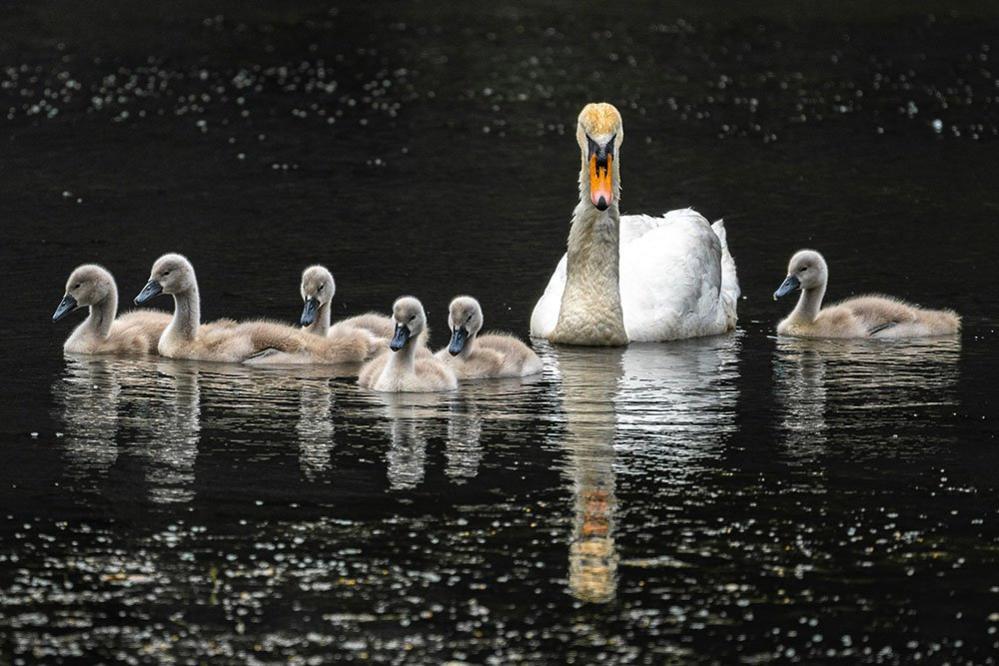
(88,396)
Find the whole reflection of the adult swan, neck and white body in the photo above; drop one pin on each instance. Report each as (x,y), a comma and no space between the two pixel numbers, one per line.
(651,411)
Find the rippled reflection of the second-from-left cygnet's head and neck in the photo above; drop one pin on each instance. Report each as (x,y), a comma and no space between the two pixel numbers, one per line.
(175,425)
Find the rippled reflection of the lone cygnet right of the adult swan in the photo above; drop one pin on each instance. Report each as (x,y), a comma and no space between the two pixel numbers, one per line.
(830,385)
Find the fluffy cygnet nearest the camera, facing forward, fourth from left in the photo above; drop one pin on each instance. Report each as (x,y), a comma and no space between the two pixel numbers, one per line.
(402,368)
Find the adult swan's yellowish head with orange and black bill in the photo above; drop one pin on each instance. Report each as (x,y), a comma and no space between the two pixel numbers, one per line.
(599,134)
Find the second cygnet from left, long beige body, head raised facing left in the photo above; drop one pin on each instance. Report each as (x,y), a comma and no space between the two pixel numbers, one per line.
(257,342)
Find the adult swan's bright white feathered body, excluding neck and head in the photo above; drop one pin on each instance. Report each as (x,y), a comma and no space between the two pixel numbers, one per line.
(677,280)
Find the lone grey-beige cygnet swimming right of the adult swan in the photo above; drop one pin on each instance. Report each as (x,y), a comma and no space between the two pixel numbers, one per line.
(859,317)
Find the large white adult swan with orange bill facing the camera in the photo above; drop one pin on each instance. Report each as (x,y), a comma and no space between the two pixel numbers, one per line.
(635,278)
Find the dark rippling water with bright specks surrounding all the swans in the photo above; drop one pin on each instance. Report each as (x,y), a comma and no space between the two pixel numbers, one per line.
(737,498)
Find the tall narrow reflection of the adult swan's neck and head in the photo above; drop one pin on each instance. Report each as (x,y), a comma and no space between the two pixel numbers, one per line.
(589,384)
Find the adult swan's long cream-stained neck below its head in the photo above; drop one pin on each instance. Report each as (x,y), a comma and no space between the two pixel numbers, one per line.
(591,313)
